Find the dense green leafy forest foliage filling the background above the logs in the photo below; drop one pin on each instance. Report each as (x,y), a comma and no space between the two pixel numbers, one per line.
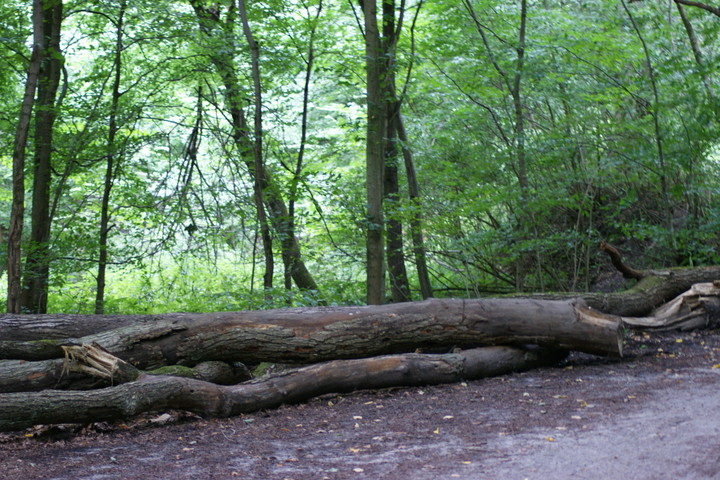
(537,130)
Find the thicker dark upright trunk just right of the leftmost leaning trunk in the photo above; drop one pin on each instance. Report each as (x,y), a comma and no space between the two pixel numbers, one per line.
(37,266)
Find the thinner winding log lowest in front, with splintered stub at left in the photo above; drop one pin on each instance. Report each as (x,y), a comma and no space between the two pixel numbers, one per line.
(151,392)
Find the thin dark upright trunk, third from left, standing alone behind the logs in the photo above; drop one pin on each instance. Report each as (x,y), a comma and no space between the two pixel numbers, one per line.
(110,166)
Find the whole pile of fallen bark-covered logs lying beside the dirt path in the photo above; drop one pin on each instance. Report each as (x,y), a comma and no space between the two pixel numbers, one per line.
(64,368)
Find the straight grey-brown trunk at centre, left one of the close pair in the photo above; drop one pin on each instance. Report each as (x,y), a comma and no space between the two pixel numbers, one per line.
(374,157)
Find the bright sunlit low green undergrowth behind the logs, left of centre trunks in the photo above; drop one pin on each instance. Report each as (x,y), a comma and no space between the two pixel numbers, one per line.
(193,286)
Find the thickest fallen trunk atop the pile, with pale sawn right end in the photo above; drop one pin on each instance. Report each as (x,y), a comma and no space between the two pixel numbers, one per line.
(309,335)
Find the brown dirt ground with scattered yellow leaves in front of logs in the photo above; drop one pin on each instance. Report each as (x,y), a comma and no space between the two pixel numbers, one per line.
(654,414)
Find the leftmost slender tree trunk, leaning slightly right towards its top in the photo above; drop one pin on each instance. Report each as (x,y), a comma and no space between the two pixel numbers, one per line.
(18,199)
